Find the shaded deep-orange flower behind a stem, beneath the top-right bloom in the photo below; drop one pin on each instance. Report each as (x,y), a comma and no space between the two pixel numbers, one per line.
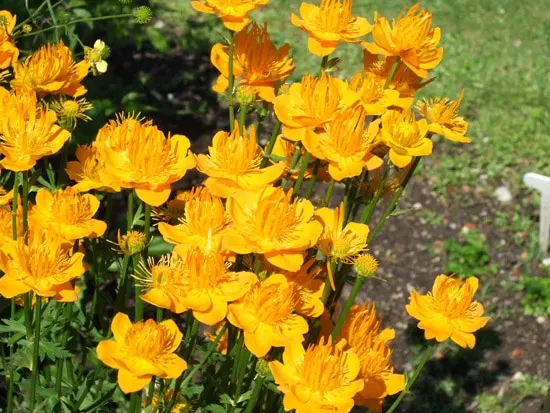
(404,80)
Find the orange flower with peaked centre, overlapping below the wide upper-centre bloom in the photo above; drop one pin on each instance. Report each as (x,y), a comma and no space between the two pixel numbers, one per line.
(346,144)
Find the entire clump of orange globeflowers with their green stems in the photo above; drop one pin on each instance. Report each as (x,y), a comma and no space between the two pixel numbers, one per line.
(260,251)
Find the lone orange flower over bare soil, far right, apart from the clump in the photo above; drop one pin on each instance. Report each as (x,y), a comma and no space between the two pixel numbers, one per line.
(449,311)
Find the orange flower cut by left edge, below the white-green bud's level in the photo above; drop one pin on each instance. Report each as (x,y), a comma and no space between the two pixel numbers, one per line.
(29,131)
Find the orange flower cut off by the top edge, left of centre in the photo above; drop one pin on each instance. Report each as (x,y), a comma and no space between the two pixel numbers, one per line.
(234,13)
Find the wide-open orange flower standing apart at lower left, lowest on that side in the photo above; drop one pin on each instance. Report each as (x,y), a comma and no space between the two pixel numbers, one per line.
(142,350)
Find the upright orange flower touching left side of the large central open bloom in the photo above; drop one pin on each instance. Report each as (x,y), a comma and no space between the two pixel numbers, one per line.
(203,225)
